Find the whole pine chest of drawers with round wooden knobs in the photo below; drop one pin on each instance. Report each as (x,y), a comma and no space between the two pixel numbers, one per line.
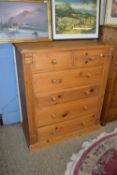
(62,85)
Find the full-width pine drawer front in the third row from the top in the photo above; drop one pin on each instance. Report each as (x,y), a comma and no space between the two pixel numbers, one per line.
(42,100)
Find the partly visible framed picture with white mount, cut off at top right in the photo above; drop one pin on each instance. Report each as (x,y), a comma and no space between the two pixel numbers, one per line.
(111,13)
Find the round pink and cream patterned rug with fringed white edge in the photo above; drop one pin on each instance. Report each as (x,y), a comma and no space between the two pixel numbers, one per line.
(97,157)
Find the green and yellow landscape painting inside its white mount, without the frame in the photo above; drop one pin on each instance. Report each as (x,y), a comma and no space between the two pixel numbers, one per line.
(76,16)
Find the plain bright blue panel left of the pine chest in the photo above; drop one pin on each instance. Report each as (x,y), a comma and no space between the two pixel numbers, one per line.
(9,106)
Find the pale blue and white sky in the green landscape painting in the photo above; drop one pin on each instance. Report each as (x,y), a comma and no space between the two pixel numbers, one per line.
(77,4)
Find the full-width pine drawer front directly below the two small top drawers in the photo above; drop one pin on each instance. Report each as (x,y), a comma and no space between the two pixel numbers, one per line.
(50,81)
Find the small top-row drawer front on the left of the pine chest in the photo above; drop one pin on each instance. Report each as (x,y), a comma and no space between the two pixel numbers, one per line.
(49,61)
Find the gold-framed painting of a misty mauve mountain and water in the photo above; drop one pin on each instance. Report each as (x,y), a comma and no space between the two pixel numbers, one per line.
(25,21)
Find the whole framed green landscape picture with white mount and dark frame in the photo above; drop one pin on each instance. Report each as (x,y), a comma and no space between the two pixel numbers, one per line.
(75,19)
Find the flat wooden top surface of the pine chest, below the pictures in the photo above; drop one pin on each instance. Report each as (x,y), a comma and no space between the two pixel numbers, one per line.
(59,45)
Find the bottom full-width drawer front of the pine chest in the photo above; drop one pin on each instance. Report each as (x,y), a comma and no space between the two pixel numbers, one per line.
(67,127)
